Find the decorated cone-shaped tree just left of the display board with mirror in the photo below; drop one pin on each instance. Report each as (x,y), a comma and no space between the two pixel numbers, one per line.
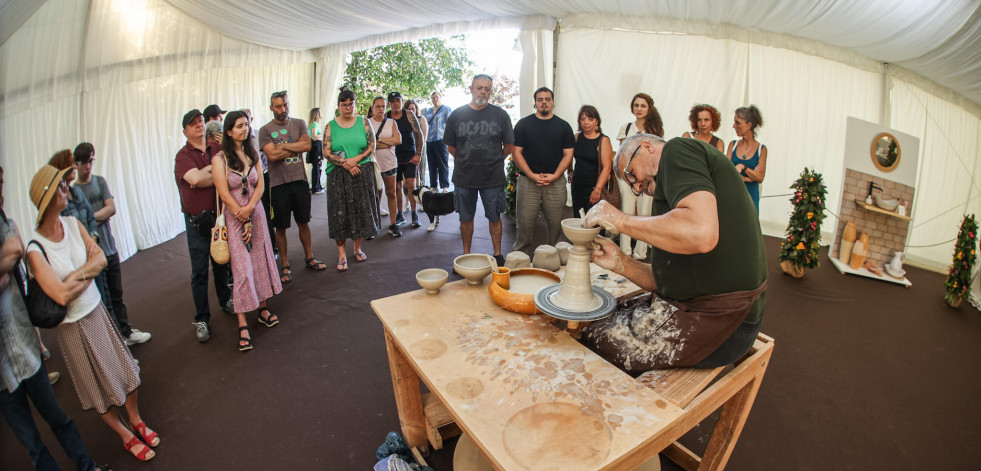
(804,229)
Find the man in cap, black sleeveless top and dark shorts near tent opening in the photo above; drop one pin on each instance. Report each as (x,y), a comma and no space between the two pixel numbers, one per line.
(408,154)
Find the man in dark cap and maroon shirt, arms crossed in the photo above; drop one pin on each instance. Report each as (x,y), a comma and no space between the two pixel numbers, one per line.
(192,170)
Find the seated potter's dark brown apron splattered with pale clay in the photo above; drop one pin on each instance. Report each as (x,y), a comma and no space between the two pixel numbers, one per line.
(648,332)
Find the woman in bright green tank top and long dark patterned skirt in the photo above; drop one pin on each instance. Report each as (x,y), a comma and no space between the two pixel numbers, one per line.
(352,205)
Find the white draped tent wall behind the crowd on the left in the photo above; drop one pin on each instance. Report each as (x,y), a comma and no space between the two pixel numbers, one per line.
(145,65)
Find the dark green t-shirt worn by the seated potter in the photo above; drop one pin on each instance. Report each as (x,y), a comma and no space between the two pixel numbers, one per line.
(738,261)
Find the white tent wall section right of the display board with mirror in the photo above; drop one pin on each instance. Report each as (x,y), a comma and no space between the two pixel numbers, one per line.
(947,186)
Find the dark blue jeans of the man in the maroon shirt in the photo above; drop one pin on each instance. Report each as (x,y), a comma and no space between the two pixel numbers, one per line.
(199,249)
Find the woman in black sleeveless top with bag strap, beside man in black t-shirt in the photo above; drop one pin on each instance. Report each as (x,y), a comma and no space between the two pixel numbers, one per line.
(593,157)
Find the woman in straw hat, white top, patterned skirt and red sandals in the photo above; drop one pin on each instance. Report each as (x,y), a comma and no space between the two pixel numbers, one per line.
(64,260)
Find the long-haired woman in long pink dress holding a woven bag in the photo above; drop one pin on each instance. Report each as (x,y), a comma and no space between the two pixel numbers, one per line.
(252,262)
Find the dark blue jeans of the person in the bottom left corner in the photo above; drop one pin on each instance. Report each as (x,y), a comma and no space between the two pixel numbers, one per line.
(18,414)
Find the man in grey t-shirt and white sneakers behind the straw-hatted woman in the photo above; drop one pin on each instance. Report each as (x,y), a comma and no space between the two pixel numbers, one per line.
(96,191)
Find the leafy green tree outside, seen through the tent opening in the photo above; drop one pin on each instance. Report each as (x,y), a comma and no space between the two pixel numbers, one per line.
(416,69)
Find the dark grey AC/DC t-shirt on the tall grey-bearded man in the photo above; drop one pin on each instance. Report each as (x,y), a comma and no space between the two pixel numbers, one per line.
(479,137)
